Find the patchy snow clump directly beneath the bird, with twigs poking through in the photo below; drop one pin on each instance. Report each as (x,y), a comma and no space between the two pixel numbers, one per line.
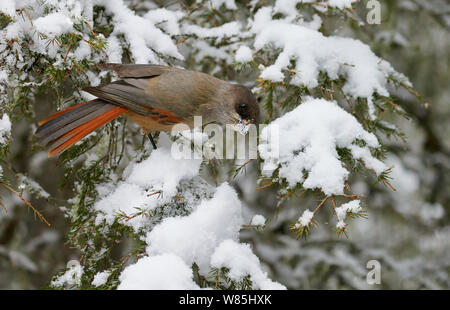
(150,183)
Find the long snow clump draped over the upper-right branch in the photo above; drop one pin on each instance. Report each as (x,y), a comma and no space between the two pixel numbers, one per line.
(365,73)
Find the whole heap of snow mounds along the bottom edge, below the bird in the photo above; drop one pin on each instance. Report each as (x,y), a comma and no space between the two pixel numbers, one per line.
(207,237)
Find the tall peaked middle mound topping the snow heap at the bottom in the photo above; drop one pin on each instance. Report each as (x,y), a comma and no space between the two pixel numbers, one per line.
(195,237)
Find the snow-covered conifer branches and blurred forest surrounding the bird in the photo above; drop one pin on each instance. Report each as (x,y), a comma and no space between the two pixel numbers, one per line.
(363,168)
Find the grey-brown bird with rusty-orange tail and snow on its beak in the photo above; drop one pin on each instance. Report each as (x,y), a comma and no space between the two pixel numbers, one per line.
(156,97)
